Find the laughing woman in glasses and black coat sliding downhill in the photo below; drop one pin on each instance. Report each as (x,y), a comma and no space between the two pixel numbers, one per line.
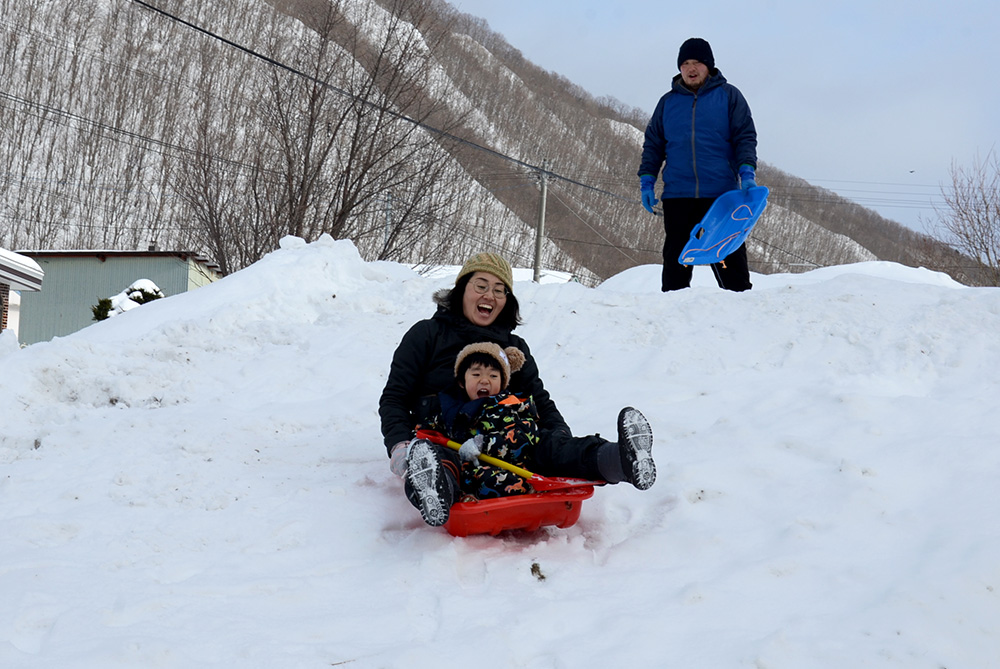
(482,308)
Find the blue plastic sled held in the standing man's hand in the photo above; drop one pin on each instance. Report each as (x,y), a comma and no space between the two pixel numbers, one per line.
(725,227)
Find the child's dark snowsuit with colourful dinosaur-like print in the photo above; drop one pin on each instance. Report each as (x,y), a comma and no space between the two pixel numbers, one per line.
(510,432)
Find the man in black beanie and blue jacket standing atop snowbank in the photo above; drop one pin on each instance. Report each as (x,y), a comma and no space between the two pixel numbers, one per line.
(703,130)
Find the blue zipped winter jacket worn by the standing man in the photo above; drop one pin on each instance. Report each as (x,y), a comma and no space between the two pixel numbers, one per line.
(702,136)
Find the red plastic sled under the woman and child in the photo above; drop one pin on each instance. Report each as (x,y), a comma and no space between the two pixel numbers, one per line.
(520,512)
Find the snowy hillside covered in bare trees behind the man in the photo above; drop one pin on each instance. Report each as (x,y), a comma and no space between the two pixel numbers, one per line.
(403,125)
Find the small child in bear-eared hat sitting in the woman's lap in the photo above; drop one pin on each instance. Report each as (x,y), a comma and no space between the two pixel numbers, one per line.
(490,420)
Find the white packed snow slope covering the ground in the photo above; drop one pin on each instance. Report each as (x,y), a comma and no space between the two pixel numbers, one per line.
(201,482)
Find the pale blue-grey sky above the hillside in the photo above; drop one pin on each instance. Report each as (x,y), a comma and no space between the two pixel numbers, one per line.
(873,99)
